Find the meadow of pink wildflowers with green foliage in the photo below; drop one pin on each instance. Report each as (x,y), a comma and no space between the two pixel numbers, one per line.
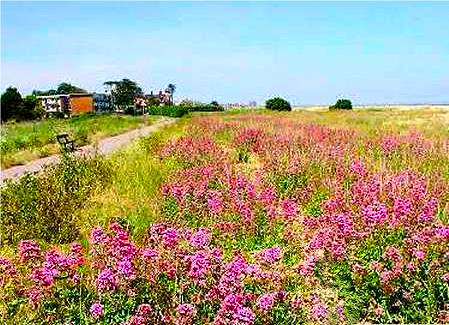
(266,218)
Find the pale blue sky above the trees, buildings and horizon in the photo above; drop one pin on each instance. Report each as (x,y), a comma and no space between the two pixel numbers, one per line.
(306,52)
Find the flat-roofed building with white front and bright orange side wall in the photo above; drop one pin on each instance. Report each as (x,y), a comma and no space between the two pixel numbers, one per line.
(67,104)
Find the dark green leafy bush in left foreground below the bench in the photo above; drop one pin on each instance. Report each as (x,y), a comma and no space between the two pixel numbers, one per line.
(44,206)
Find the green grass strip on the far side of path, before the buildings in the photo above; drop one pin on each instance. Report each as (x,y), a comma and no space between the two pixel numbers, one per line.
(26,141)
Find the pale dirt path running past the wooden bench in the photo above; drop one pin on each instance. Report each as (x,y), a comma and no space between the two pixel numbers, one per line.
(104,147)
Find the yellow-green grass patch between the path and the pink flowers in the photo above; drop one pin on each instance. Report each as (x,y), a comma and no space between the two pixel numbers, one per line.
(133,196)
